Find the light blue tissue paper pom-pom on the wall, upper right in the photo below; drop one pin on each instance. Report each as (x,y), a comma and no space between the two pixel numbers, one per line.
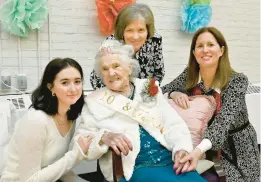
(195,17)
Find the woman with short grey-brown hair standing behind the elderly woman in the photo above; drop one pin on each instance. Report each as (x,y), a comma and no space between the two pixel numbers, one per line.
(135,26)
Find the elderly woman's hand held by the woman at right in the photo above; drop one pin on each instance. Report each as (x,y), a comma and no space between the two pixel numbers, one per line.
(178,166)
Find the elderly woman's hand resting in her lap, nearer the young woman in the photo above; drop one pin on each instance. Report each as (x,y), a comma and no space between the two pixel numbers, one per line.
(118,142)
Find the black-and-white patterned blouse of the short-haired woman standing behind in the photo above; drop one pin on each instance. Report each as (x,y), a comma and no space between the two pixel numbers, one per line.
(150,59)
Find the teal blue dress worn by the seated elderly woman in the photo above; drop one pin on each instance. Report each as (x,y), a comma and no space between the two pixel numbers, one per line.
(154,163)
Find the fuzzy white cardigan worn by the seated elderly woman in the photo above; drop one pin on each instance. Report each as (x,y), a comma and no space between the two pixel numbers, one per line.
(98,118)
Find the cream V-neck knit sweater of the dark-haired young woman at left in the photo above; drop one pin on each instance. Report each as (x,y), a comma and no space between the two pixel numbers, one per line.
(37,151)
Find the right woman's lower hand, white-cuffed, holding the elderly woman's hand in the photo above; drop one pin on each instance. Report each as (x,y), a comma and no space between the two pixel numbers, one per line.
(193,158)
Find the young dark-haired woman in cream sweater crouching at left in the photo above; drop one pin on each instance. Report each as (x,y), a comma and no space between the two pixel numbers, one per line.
(39,144)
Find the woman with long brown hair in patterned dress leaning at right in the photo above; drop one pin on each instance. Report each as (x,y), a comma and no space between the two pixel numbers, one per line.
(209,73)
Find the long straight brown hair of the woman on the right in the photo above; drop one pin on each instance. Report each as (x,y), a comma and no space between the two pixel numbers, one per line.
(224,69)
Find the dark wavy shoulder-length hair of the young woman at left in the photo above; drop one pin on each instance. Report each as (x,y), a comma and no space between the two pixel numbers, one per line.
(42,98)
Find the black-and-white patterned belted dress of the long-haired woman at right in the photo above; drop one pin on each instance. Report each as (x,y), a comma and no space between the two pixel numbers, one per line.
(230,130)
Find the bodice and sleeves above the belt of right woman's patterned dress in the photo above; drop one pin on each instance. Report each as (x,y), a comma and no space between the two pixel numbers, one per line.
(233,101)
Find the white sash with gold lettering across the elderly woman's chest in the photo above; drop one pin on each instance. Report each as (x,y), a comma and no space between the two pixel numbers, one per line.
(127,107)
